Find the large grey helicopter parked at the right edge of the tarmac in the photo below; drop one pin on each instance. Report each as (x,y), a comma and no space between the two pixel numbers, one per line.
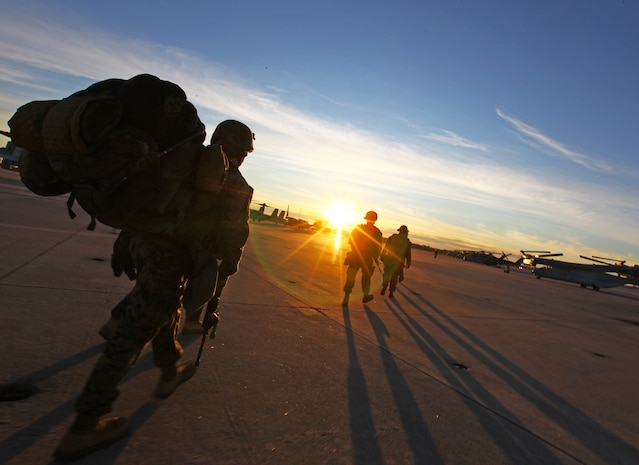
(597,276)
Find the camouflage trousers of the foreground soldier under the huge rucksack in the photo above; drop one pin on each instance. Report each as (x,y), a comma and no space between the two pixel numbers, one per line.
(149,313)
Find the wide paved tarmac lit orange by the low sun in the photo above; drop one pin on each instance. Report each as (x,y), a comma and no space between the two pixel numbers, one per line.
(468,365)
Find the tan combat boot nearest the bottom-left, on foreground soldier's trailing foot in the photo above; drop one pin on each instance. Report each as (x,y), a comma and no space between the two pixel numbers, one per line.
(88,434)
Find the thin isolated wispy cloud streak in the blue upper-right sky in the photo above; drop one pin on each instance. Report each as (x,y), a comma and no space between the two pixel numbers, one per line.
(534,137)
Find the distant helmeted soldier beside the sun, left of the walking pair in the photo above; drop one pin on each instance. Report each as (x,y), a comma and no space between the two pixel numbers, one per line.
(366,244)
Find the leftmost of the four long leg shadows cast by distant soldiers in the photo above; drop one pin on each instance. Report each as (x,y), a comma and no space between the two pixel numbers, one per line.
(366,447)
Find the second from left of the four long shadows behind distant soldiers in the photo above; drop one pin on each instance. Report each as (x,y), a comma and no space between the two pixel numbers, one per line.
(417,433)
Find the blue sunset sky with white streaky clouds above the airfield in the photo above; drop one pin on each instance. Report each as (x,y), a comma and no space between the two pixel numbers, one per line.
(493,125)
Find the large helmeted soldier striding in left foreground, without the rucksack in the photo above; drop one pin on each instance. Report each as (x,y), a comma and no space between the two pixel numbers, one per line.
(162,264)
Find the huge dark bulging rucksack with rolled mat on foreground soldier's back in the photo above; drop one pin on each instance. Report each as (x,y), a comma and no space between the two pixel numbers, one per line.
(126,150)
